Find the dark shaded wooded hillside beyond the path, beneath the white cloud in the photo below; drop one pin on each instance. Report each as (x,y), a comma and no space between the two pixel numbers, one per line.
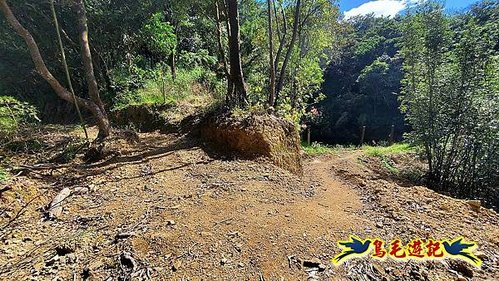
(362,82)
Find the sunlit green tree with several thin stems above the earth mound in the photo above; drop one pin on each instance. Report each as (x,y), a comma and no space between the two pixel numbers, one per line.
(276,50)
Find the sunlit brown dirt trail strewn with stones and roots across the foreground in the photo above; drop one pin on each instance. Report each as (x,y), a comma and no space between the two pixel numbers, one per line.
(165,209)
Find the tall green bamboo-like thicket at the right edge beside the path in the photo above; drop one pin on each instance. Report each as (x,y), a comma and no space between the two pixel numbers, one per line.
(450,99)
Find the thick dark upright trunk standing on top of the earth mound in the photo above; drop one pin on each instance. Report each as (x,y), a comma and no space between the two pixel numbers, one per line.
(237,93)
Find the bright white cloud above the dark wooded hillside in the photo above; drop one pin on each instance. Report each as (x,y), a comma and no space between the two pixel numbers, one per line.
(386,8)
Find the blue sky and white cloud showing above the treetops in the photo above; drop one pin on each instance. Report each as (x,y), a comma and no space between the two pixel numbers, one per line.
(392,7)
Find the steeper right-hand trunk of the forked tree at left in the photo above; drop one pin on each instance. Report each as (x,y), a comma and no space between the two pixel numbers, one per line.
(93,88)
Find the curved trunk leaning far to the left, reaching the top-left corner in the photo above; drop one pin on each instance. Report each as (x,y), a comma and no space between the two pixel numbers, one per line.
(42,69)
